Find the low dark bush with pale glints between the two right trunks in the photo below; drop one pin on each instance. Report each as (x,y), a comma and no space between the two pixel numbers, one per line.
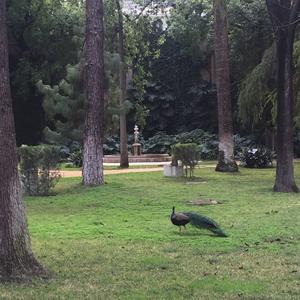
(260,157)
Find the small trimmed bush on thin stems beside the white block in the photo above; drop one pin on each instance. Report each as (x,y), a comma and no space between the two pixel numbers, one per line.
(188,154)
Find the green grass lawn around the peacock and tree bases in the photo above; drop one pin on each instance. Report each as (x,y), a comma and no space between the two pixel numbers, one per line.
(117,242)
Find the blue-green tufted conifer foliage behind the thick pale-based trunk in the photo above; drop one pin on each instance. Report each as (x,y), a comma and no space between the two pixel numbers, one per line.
(64,103)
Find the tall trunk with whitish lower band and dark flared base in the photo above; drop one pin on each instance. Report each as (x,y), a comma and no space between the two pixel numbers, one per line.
(226,161)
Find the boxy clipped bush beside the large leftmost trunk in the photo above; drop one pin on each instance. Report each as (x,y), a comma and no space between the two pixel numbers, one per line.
(39,168)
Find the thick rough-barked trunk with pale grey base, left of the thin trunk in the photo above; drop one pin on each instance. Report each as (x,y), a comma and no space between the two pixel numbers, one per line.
(92,171)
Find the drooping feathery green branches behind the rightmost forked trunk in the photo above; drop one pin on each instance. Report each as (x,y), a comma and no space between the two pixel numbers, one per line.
(257,102)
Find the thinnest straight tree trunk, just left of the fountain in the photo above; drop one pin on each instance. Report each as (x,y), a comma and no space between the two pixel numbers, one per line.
(122,79)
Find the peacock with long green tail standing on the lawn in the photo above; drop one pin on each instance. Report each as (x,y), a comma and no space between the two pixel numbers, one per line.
(197,220)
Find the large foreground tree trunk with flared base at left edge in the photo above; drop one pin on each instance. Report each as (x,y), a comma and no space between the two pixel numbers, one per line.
(16,258)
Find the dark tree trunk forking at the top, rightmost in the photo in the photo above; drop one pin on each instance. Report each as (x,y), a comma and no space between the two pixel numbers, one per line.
(284,18)
